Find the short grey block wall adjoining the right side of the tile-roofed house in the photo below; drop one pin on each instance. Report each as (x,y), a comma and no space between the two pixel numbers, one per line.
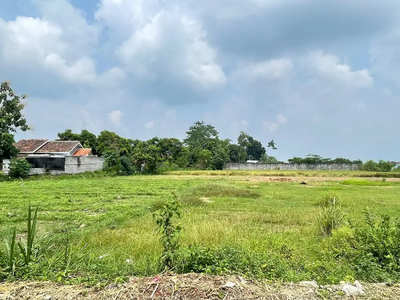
(80,164)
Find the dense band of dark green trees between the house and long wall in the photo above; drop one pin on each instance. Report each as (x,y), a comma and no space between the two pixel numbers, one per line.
(201,149)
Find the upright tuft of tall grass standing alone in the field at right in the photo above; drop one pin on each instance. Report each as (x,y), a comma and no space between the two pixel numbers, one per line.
(330,216)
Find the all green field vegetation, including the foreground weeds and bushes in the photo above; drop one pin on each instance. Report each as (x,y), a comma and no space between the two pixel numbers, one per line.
(96,228)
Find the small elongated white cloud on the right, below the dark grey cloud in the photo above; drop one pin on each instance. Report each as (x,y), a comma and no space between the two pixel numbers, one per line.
(328,65)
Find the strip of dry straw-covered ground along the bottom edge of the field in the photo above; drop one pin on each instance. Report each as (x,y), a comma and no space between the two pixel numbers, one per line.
(191,286)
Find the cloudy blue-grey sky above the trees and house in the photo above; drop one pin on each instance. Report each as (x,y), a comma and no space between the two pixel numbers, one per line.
(318,77)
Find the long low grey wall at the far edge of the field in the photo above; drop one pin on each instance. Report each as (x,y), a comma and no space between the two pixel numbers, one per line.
(291,167)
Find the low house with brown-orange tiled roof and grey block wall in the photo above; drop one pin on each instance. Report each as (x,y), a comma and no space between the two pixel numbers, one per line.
(58,157)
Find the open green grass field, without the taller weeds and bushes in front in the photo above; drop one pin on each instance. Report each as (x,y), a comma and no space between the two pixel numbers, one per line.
(96,229)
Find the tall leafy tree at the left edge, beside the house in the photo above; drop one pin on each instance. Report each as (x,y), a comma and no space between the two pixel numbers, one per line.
(11,119)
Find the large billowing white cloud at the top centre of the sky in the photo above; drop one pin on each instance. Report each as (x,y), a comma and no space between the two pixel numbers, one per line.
(162,43)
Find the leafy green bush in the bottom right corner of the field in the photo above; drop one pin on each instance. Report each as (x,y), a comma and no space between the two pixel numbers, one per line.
(371,248)
